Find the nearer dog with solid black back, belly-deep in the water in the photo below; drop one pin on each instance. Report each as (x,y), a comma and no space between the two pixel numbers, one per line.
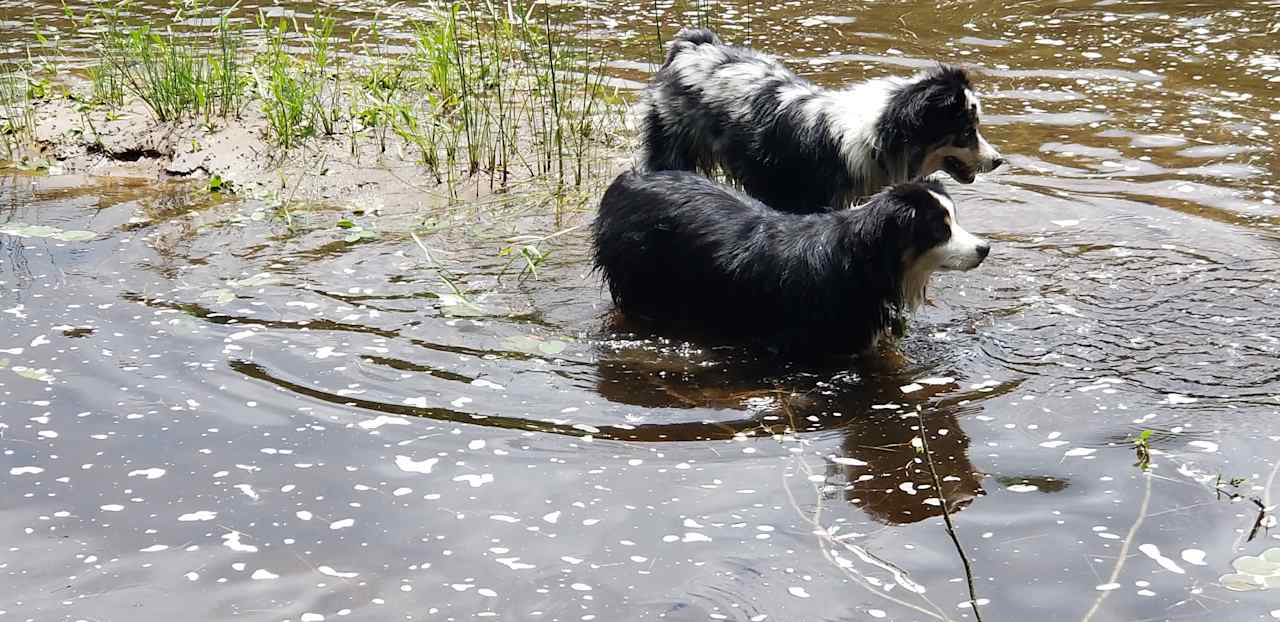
(682,251)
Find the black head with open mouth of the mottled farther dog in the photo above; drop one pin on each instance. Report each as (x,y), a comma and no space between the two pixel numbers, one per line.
(939,115)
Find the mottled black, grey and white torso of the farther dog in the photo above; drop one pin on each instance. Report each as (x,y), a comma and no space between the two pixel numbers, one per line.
(716,108)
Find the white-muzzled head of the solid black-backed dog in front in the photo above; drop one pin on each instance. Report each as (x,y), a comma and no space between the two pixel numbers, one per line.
(935,241)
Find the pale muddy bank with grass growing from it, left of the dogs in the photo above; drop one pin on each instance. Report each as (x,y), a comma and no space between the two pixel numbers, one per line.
(360,167)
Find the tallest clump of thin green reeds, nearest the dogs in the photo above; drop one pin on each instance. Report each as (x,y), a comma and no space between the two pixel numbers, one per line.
(504,86)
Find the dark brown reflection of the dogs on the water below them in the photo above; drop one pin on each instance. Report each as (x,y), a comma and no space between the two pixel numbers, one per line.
(881,470)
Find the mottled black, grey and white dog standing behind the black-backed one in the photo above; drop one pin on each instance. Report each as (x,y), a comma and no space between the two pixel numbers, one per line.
(801,148)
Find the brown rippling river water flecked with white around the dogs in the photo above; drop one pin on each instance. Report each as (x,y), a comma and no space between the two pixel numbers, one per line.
(207,415)
